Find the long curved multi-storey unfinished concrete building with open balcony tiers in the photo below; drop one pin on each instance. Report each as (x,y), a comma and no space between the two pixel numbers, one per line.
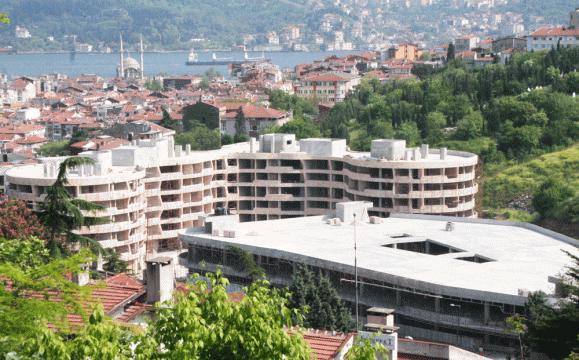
(151,189)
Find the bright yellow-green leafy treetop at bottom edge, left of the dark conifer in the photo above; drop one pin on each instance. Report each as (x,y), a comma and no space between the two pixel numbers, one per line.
(205,324)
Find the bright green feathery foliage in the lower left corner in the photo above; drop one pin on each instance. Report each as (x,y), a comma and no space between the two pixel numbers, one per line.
(25,269)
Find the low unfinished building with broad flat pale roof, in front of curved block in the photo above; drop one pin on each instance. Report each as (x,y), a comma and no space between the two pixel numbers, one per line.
(449,280)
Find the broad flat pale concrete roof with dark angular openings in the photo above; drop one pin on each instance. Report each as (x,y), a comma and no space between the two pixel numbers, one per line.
(522,258)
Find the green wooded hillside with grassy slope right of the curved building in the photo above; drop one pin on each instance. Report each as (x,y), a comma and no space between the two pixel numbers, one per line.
(508,114)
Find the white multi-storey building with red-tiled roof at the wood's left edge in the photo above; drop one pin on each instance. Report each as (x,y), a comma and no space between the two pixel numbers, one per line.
(327,87)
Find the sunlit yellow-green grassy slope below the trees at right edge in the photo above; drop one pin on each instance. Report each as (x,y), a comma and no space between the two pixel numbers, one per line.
(516,181)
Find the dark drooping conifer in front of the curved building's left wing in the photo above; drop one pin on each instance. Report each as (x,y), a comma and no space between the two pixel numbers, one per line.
(62,213)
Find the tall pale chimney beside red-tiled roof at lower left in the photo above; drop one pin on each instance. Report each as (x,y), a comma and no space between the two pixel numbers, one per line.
(160,275)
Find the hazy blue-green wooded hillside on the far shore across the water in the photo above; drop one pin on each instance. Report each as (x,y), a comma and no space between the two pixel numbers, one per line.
(170,24)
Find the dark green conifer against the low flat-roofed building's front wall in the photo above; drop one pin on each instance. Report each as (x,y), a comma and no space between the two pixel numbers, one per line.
(317,297)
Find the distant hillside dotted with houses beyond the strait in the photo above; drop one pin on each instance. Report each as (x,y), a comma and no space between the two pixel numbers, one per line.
(305,25)
